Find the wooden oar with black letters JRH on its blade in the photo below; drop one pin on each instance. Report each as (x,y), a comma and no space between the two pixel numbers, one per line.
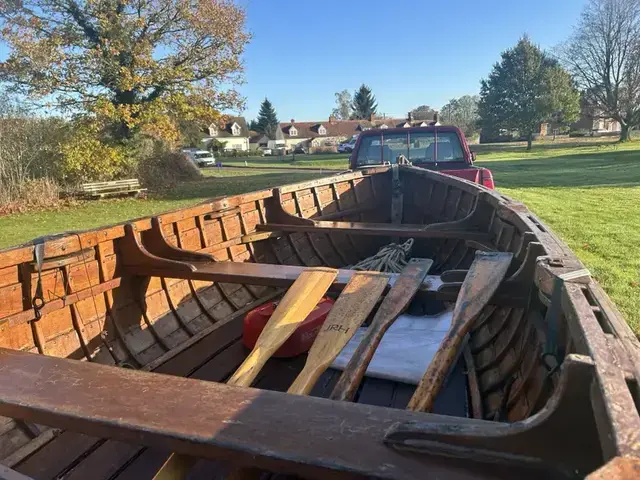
(350,311)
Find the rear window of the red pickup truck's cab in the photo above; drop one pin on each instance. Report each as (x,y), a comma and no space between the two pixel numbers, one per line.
(418,147)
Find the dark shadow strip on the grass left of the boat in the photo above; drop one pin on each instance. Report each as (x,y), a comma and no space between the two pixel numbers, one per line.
(214,186)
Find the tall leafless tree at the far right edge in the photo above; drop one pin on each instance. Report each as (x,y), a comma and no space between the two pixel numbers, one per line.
(603,54)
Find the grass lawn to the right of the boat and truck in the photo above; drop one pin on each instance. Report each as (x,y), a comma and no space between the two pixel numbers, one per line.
(590,197)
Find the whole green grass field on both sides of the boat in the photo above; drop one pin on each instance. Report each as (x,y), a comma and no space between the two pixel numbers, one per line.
(587,192)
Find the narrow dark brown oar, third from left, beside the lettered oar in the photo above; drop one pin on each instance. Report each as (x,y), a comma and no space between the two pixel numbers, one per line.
(394,303)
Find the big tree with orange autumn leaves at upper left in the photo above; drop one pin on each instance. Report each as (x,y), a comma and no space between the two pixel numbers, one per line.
(130,65)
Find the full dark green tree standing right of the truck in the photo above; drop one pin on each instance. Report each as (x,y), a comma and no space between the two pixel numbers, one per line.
(526,89)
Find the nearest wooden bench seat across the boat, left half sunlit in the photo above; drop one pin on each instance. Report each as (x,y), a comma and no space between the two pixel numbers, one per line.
(209,419)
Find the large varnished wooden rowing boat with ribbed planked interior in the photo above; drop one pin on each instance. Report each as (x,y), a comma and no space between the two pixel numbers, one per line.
(121,345)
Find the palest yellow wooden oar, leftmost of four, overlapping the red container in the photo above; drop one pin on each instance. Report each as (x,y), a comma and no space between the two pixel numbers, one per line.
(293,309)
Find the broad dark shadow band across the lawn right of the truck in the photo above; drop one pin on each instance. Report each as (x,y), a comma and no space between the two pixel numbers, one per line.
(599,169)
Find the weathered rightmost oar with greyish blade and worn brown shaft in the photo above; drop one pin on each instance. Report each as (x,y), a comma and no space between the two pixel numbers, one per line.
(484,277)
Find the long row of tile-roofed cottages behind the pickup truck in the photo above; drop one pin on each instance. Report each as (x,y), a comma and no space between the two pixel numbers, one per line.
(321,136)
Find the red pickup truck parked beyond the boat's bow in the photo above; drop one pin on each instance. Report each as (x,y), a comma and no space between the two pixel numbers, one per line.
(439,147)
